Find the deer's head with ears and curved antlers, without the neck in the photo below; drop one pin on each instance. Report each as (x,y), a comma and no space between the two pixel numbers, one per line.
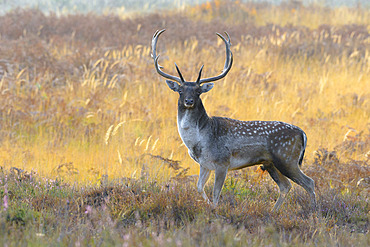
(189,92)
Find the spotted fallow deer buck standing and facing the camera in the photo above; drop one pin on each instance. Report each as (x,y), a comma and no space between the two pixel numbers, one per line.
(221,144)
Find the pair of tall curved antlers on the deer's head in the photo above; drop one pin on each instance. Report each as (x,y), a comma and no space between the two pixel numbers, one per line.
(227,67)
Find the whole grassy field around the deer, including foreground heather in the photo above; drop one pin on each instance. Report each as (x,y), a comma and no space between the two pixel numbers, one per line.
(89,148)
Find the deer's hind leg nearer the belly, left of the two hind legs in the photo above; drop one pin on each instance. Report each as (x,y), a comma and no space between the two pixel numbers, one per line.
(281,181)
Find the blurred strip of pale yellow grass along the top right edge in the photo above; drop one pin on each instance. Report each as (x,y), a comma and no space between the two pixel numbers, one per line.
(287,13)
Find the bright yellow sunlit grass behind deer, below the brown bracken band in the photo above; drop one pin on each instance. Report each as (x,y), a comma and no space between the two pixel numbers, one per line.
(107,121)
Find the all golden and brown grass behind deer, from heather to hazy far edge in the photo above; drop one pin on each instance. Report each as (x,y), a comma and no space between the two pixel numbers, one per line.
(80,98)
